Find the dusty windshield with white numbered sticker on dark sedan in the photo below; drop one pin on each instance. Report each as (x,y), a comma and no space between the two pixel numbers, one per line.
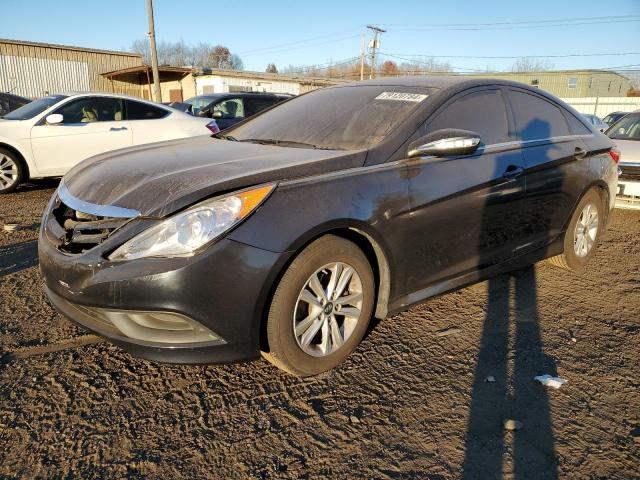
(340,118)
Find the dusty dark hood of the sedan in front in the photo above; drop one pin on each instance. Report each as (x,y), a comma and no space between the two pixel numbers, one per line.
(160,178)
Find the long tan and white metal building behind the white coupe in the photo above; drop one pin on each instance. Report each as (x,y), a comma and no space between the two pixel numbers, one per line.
(34,69)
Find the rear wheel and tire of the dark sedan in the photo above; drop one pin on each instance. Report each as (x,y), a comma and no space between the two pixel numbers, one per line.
(583,233)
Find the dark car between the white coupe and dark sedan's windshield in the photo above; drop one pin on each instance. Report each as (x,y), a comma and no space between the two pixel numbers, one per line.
(229,108)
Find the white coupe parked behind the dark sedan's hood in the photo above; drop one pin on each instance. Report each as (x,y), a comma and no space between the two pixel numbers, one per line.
(47,137)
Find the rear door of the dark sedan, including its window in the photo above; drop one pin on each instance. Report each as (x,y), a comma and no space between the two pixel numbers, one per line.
(555,167)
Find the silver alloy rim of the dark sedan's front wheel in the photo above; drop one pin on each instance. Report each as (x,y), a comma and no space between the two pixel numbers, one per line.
(328,309)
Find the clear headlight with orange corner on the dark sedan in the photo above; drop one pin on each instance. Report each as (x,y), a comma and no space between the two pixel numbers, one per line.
(183,234)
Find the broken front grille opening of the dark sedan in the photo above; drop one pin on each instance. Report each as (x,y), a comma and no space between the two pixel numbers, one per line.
(82,231)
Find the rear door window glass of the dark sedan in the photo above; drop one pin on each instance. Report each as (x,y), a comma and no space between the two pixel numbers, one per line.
(536,119)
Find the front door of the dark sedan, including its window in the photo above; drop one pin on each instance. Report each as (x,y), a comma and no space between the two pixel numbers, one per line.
(465,210)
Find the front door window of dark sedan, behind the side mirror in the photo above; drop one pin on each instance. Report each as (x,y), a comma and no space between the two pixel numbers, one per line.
(471,112)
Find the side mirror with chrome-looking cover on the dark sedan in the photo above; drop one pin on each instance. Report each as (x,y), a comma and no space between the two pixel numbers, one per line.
(441,143)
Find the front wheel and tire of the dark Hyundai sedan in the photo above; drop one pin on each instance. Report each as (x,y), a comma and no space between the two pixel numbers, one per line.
(297,310)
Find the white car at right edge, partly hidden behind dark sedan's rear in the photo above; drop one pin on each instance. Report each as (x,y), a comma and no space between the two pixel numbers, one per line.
(626,135)
